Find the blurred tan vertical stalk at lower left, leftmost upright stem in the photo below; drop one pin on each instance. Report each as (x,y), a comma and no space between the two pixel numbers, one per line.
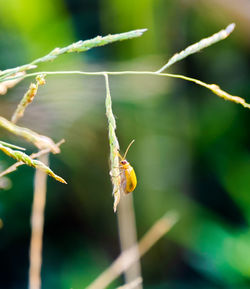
(37,222)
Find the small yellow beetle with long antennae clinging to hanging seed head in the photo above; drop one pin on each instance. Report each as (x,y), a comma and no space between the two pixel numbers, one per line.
(128,176)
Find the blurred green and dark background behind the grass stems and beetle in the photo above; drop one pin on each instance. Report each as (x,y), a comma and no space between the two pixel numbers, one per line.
(191,151)
